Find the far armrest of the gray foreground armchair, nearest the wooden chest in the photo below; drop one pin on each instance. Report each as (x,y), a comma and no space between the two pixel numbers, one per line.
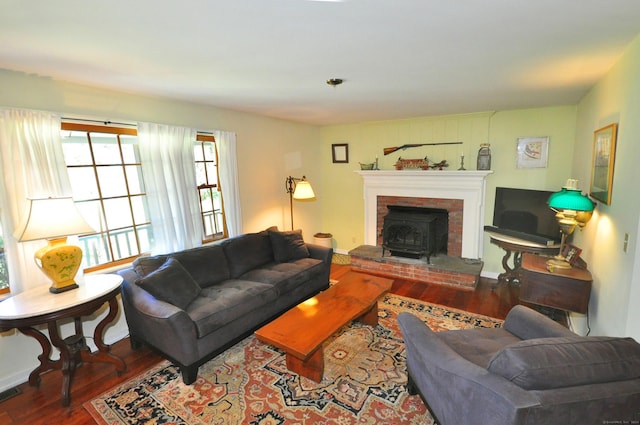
(526,323)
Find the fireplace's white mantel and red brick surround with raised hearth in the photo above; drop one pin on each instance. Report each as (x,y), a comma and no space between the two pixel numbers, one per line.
(461,193)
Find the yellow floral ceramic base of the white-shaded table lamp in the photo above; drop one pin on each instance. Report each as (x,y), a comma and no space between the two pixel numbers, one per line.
(60,262)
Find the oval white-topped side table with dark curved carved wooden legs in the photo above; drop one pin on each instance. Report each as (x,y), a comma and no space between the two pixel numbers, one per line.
(38,306)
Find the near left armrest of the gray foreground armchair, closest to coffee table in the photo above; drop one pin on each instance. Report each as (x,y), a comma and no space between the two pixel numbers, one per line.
(447,381)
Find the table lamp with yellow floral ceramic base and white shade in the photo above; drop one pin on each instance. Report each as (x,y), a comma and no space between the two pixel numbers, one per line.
(54,219)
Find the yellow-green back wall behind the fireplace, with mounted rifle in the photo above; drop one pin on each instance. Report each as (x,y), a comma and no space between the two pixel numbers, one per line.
(343,209)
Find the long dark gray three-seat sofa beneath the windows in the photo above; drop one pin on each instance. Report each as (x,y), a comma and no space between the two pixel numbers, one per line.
(194,304)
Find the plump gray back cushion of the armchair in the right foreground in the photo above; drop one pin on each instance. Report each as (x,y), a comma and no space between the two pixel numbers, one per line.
(545,363)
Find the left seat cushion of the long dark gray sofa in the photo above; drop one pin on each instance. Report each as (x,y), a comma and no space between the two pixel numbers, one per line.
(218,305)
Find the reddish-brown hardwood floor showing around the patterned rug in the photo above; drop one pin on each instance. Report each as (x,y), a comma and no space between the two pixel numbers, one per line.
(38,406)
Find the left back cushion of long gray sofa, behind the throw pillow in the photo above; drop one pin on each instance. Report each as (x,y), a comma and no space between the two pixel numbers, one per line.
(206,264)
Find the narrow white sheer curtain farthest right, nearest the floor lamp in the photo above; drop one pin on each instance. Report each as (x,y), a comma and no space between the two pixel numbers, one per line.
(228,171)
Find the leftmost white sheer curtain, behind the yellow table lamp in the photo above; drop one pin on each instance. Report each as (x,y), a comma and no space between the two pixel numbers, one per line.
(32,167)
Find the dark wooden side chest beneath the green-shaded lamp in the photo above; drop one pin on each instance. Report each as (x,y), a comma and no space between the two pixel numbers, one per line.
(562,289)
